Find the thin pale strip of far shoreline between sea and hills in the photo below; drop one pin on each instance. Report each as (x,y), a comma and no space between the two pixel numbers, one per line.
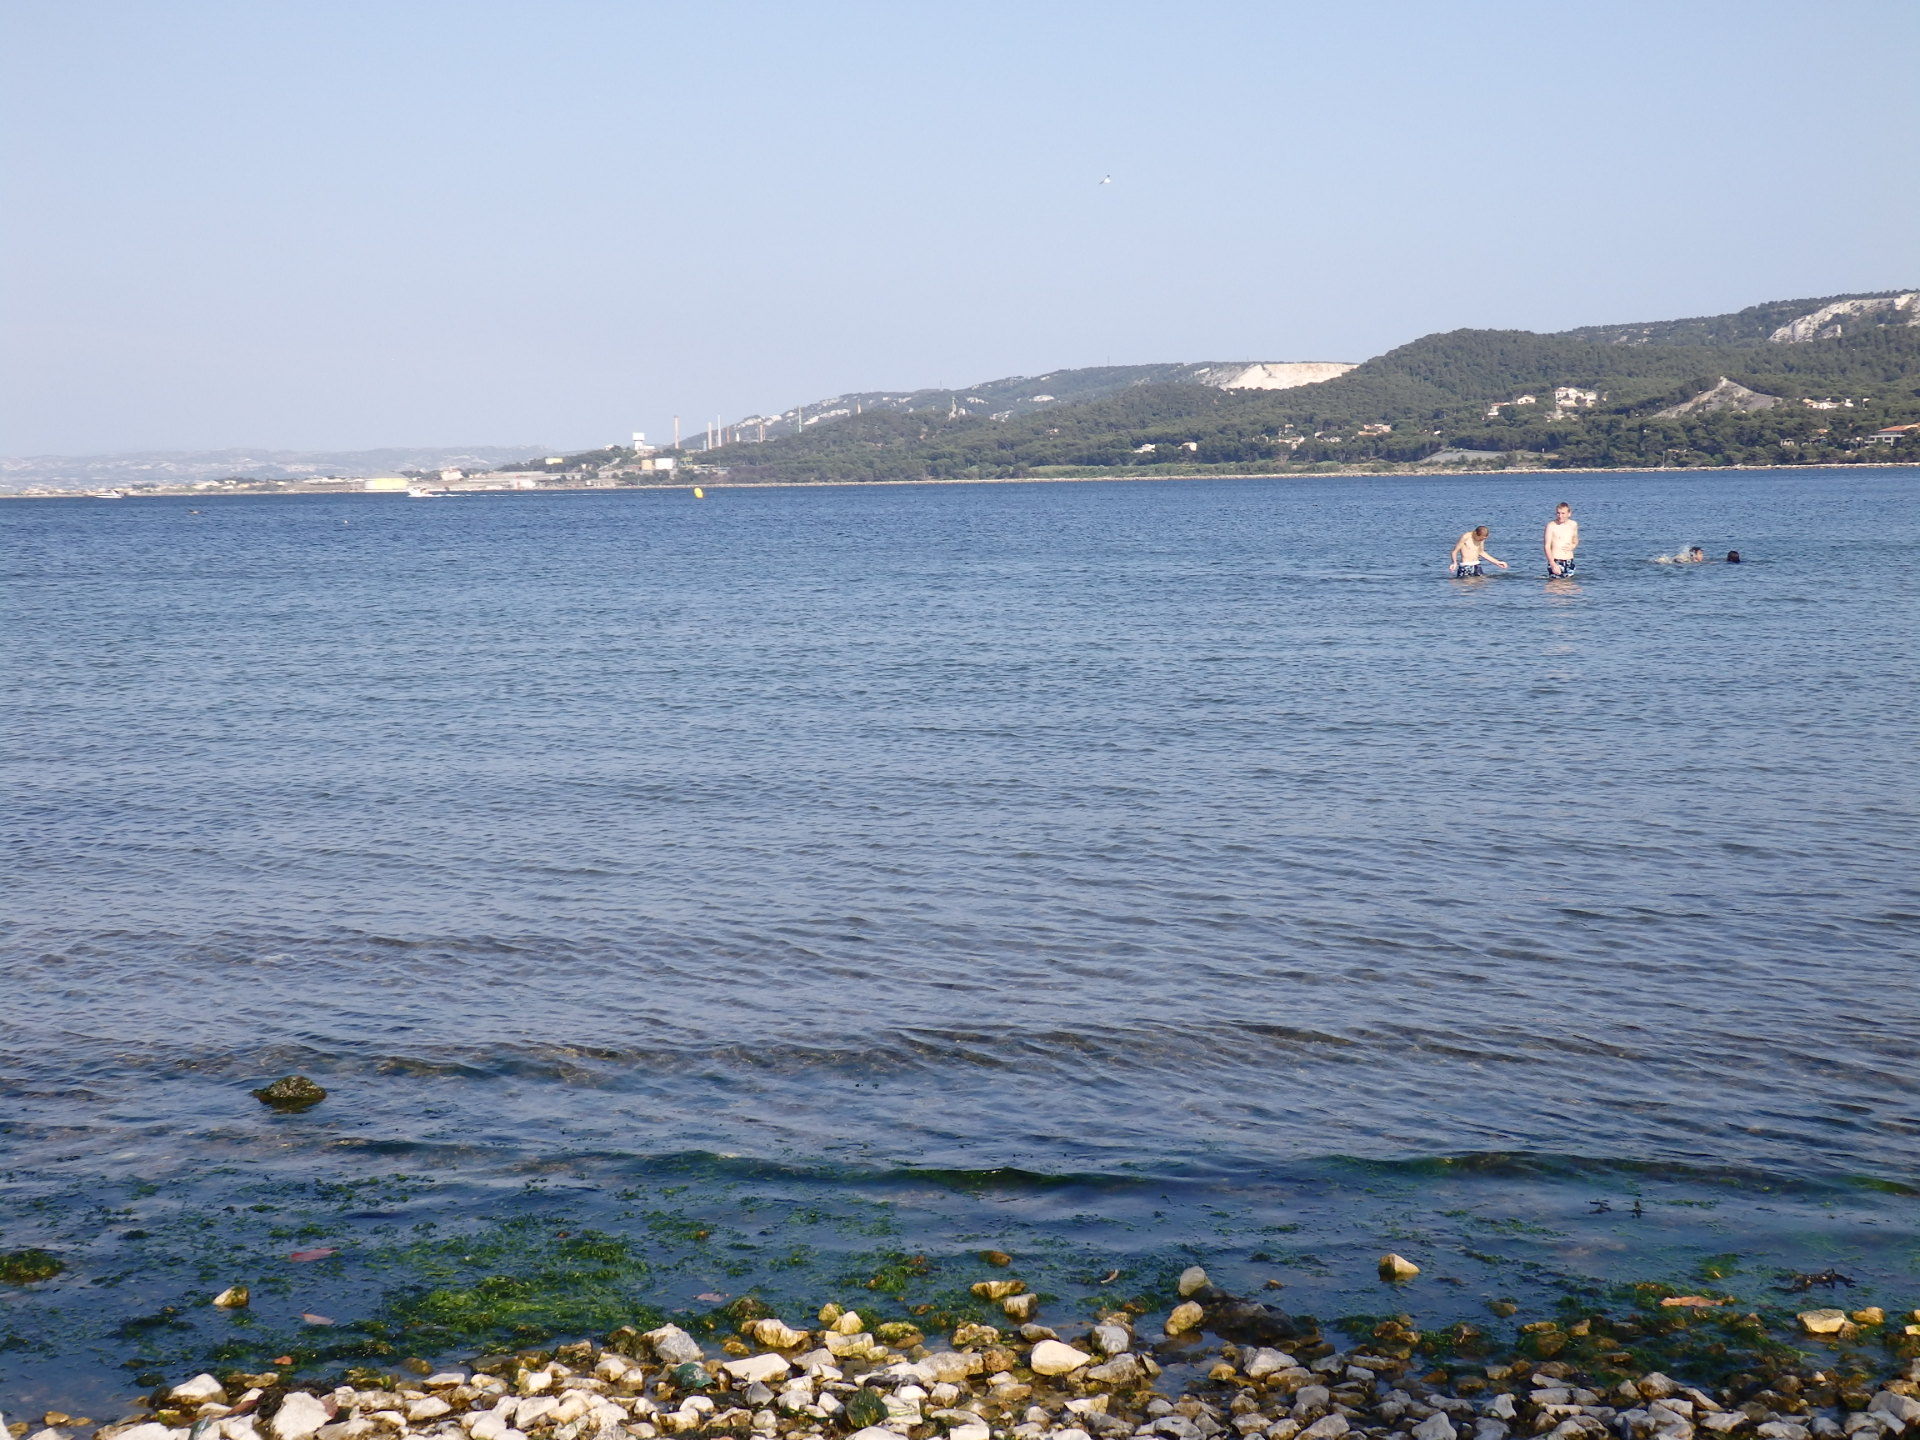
(704,483)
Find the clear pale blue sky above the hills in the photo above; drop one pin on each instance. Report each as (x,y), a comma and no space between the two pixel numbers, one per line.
(339,224)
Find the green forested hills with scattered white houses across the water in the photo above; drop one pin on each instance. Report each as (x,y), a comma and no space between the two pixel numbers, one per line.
(1426,402)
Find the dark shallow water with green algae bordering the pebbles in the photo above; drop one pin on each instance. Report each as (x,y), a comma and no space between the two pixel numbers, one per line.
(437,1268)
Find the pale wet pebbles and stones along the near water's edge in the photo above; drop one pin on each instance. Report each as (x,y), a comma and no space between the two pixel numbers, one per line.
(1216,1366)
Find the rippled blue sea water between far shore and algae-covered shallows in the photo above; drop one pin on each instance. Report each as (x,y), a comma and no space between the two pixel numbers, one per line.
(1189,836)
